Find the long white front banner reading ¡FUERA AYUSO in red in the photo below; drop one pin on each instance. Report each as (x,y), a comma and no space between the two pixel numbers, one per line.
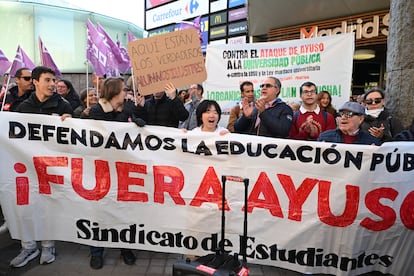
(316,207)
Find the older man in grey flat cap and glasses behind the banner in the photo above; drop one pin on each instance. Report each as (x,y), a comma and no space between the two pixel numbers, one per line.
(351,116)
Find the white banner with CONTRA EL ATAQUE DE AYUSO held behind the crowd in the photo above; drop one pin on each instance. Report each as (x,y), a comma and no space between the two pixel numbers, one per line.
(325,61)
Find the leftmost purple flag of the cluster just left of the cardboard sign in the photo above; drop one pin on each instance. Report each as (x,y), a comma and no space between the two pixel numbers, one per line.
(96,51)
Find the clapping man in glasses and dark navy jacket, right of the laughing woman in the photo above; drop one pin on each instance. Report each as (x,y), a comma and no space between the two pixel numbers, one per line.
(268,116)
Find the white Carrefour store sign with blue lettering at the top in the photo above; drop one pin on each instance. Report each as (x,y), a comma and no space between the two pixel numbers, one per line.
(175,12)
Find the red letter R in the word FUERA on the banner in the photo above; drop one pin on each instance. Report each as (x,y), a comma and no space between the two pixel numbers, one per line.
(173,187)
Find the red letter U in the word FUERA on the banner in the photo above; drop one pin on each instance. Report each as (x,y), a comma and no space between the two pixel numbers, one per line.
(102,179)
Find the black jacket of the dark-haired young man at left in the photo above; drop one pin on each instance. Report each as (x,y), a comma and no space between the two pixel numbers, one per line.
(55,105)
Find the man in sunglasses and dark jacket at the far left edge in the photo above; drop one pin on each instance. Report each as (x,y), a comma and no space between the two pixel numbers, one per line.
(17,94)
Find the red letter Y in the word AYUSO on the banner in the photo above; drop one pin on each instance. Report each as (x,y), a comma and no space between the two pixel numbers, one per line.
(296,196)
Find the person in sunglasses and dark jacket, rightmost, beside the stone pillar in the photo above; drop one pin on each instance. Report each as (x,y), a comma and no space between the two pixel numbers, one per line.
(379,122)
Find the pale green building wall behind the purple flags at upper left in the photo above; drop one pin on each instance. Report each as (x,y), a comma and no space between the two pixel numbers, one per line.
(62,30)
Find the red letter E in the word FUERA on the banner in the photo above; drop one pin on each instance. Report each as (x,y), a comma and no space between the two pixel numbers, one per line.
(124,181)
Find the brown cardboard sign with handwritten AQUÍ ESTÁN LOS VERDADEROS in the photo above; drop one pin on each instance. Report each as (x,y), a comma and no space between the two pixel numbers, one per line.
(173,57)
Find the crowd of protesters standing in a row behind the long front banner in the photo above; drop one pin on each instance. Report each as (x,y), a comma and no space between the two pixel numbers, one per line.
(111,99)
